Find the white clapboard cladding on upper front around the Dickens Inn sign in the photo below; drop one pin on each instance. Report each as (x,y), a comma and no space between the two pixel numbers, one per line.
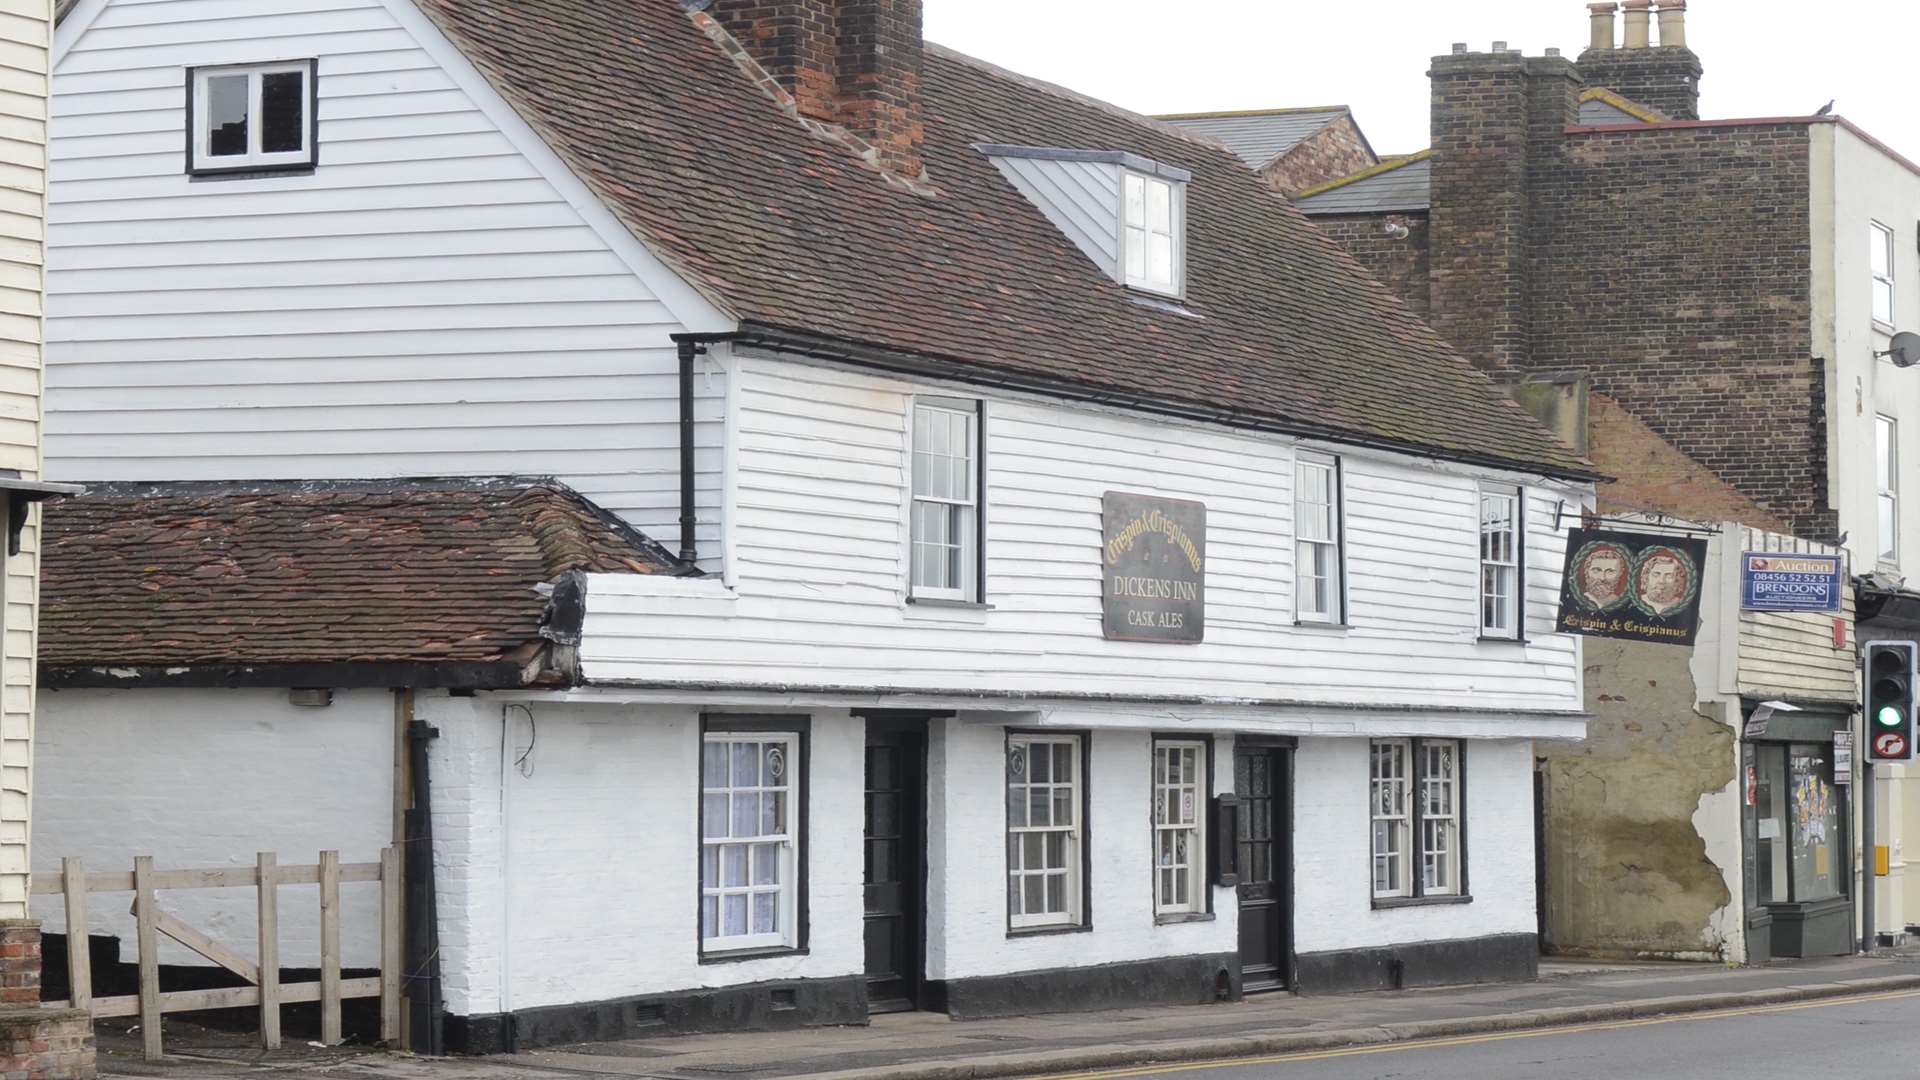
(817,589)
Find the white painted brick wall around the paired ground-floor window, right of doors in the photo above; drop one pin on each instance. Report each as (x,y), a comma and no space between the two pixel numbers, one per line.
(1333,837)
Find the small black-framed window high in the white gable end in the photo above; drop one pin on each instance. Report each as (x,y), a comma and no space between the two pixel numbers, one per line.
(252,118)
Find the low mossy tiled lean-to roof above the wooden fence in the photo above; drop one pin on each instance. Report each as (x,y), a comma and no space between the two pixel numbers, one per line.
(318,574)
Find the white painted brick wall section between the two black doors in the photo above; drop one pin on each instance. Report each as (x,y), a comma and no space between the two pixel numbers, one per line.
(967,921)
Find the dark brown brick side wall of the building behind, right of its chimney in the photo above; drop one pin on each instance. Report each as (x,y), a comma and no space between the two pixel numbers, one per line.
(1673,266)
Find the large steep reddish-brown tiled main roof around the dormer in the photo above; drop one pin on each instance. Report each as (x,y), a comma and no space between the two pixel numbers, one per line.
(792,233)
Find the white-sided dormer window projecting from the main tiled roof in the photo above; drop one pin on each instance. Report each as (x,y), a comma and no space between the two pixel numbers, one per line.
(1122,210)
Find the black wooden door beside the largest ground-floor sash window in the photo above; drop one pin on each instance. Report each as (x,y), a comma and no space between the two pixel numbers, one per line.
(896,866)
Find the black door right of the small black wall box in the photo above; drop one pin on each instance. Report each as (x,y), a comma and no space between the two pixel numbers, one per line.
(1266,862)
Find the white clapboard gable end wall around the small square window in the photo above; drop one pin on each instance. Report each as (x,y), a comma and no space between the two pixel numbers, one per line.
(439,297)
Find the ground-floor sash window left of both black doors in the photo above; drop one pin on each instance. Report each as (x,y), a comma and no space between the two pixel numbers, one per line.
(750,839)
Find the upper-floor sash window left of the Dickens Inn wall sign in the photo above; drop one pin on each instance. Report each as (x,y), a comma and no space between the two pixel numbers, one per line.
(946,506)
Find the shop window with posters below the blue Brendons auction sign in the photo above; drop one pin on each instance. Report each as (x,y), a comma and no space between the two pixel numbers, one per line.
(1798,823)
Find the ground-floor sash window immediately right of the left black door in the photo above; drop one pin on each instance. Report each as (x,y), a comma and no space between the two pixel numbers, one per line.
(1045,833)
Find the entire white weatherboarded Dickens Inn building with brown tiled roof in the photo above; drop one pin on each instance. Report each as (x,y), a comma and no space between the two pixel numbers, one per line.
(1111,595)
